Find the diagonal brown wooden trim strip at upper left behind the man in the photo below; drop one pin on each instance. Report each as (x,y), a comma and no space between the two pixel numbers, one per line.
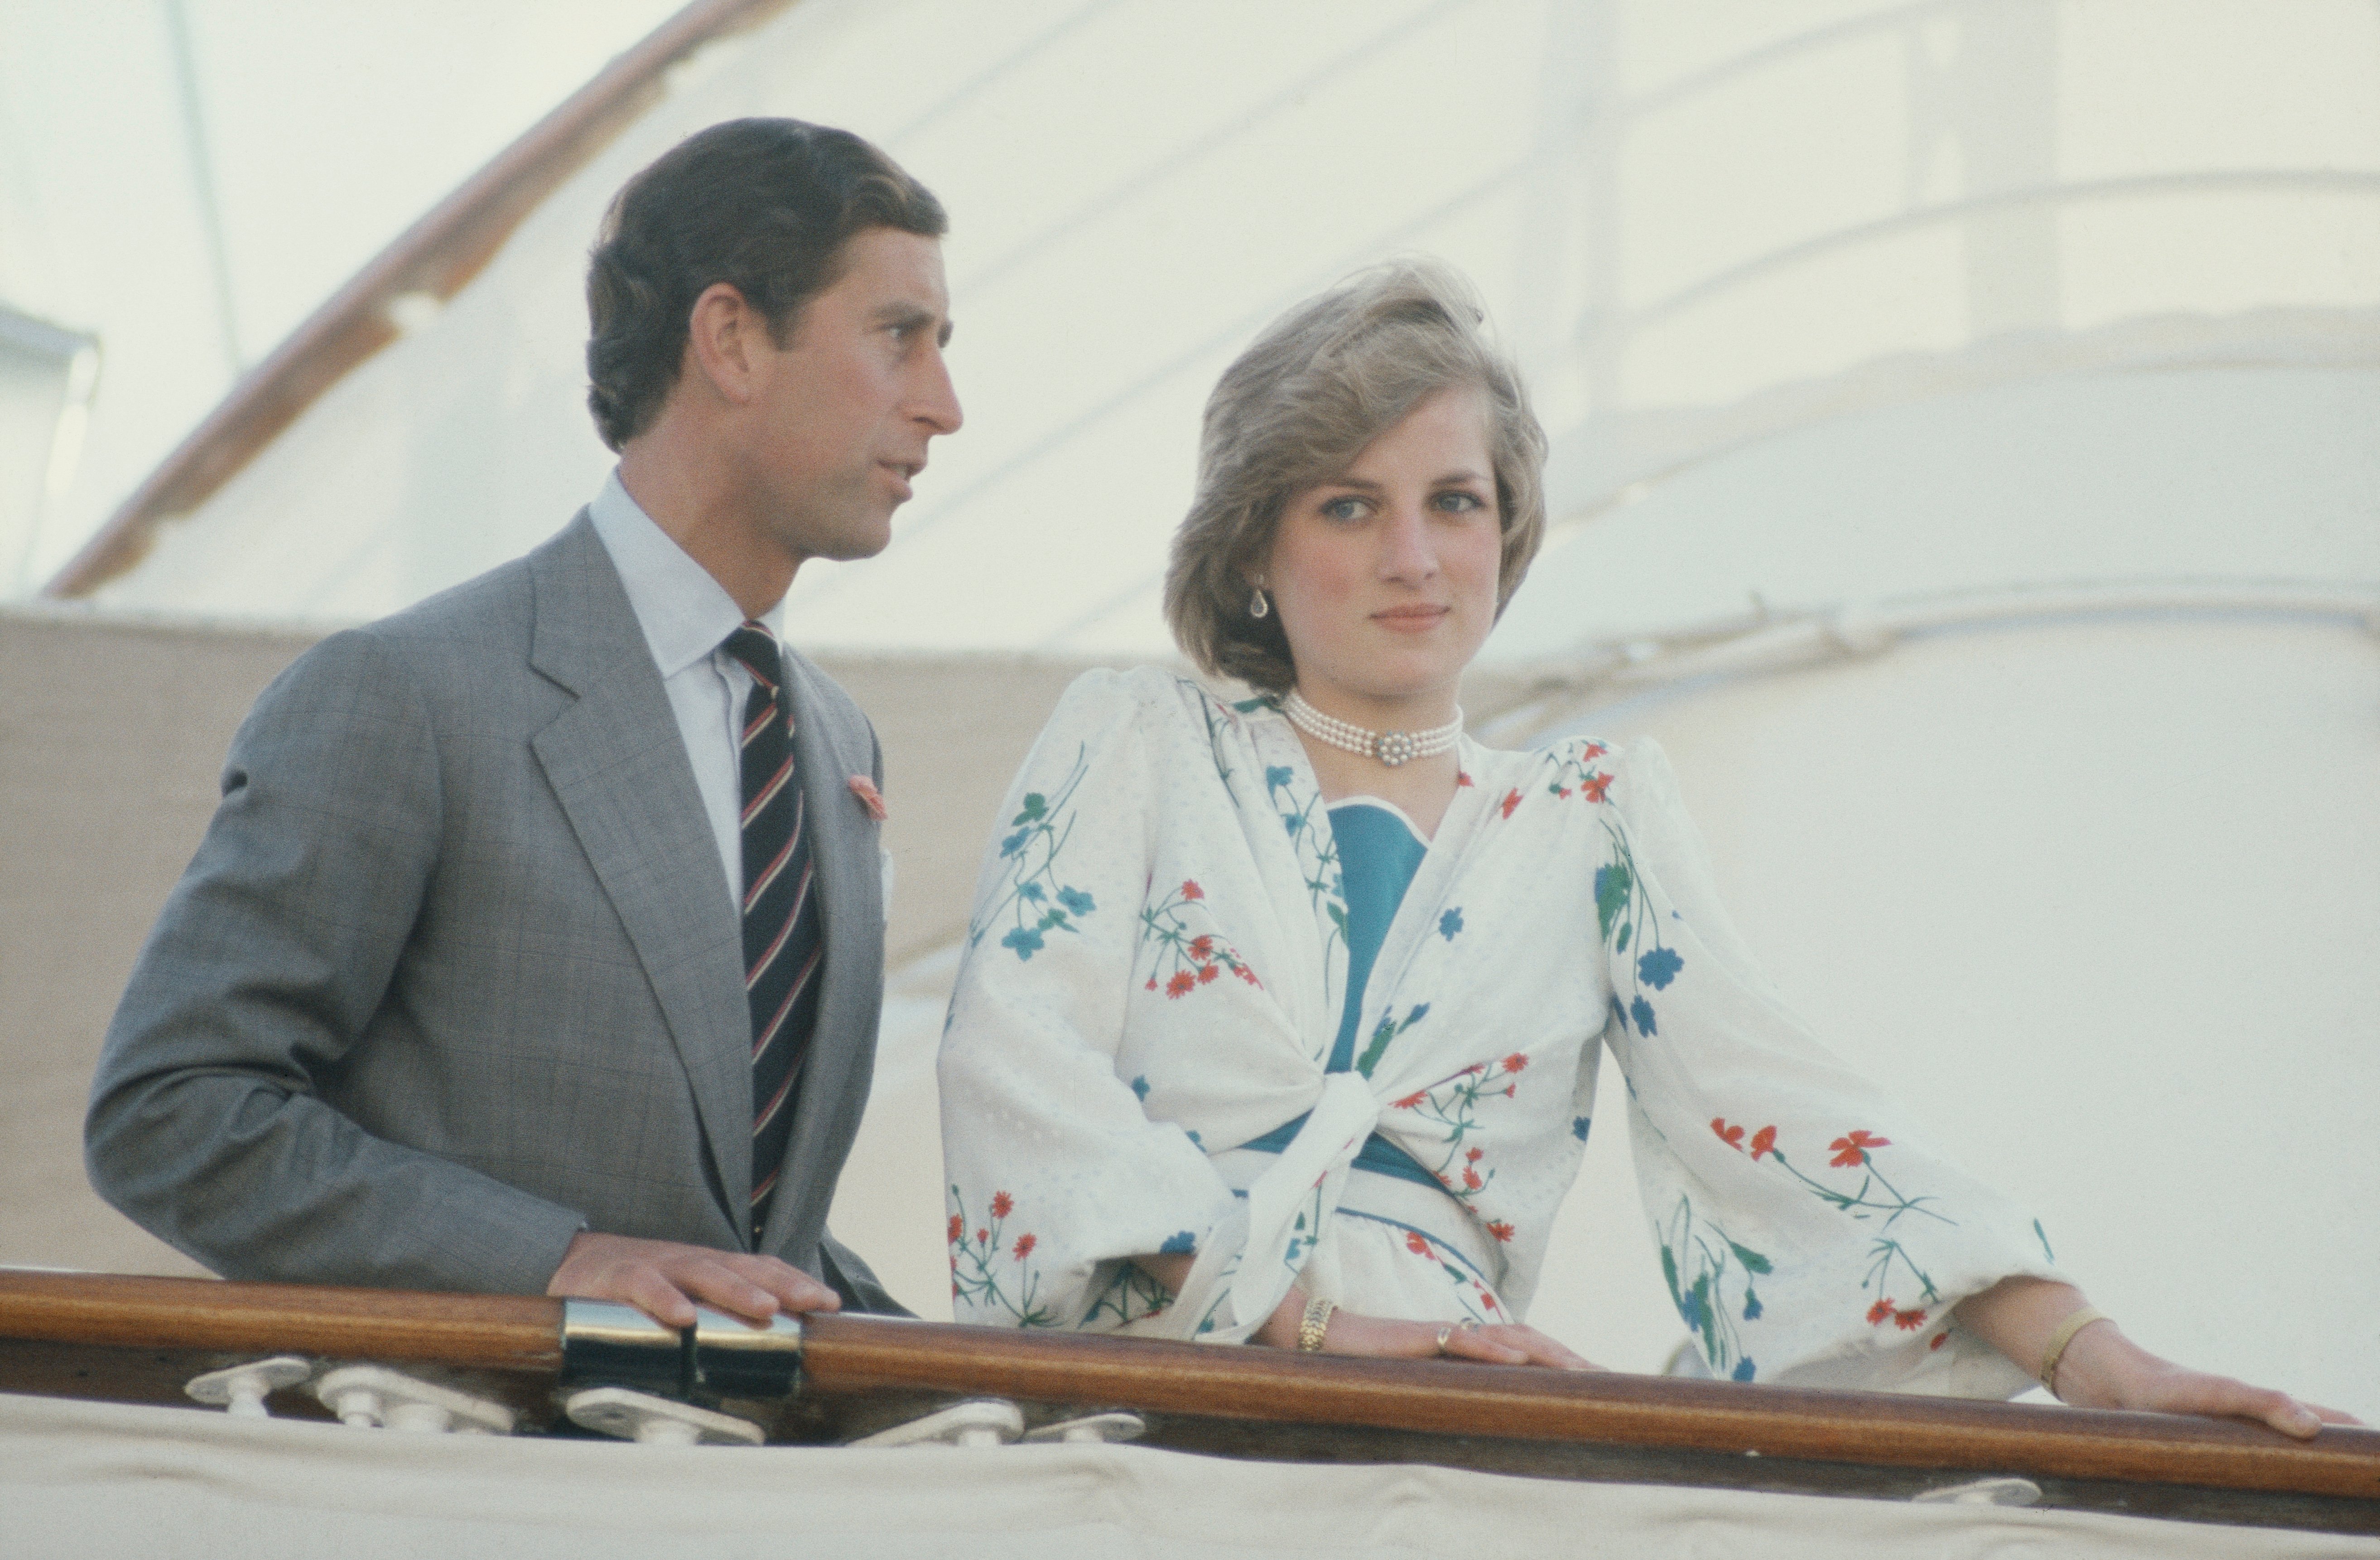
(437,256)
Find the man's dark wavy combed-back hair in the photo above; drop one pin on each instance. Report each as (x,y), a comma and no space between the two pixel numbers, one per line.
(758,204)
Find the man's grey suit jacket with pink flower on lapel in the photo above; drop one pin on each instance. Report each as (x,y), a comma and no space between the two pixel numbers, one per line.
(456,973)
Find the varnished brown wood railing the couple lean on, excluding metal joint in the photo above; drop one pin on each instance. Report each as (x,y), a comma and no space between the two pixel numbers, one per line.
(49,1321)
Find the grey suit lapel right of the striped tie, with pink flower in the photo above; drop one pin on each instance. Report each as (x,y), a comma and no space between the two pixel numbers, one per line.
(851,885)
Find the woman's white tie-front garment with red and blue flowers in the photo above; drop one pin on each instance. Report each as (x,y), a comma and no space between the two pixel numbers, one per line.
(1153,985)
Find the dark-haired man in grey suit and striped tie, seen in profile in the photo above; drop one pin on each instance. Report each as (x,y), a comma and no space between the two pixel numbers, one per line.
(506,966)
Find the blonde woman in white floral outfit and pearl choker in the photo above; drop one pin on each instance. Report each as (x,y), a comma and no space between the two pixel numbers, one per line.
(1284,1001)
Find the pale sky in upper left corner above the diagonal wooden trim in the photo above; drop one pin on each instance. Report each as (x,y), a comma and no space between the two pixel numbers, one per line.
(332,127)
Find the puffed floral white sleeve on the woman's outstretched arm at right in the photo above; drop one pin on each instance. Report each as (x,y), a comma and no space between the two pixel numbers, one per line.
(1805,1230)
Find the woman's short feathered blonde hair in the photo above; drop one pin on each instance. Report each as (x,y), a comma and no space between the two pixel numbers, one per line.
(1298,406)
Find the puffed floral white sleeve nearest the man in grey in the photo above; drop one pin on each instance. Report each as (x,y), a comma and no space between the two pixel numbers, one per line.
(1056,1171)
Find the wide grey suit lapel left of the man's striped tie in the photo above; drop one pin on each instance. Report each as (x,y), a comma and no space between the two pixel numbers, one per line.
(620,770)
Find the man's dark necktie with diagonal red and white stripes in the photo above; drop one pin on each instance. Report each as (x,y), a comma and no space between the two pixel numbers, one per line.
(784,932)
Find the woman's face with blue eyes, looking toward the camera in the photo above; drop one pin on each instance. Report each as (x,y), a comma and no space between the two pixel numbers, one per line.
(1386,575)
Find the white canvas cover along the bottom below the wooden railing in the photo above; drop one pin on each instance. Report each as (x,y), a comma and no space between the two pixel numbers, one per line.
(82,1480)
